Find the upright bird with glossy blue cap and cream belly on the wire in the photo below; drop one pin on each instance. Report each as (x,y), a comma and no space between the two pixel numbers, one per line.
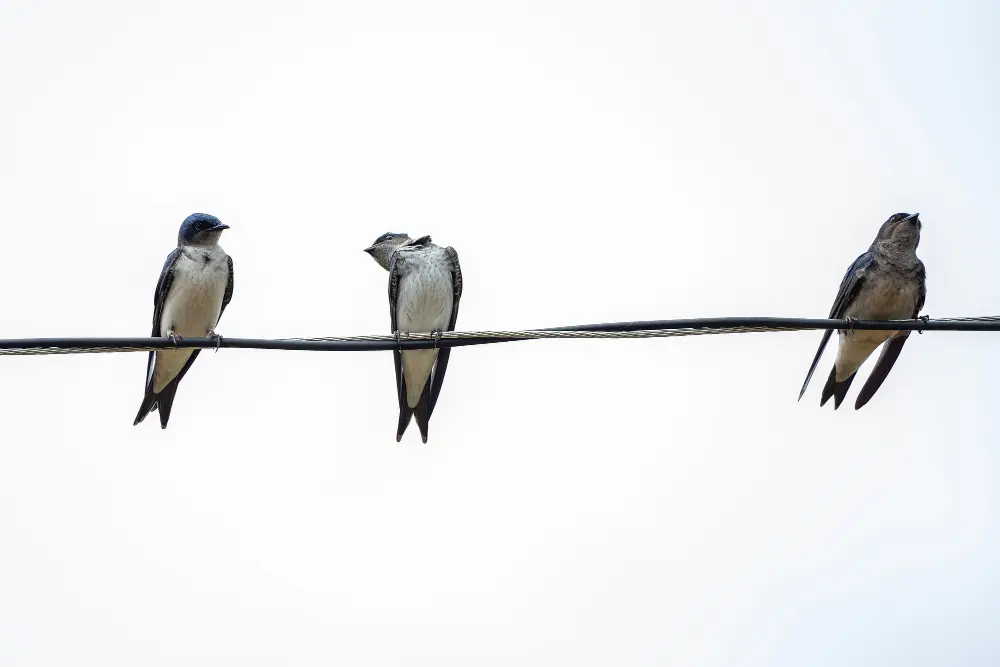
(195,286)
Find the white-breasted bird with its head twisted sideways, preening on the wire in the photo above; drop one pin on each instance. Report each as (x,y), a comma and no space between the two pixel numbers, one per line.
(425,287)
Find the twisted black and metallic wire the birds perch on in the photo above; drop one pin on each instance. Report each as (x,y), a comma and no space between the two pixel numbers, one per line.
(417,341)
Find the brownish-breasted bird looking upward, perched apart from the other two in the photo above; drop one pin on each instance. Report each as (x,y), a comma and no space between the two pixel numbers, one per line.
(887,282)
